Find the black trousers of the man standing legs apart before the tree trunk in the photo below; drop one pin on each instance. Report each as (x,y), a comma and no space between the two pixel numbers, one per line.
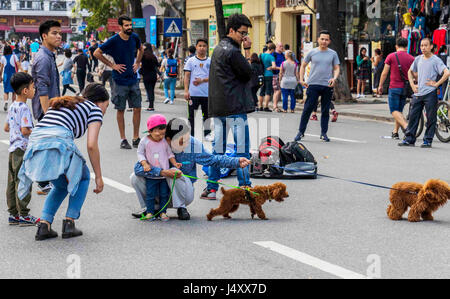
(313,93)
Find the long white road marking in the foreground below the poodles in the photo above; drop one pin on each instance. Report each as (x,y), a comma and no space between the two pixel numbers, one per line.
(310,260)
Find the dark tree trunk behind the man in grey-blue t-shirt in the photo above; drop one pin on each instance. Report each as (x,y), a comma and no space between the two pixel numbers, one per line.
(328,20)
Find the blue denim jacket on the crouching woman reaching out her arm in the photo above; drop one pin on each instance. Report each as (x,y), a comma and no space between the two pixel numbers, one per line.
(195,153)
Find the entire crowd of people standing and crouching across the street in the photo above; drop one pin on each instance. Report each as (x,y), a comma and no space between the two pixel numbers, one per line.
(224,86)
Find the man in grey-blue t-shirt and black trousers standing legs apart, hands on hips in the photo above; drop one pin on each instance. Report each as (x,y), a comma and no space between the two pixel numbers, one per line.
(322,78)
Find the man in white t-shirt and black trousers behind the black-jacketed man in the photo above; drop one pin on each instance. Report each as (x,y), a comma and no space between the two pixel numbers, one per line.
(196,84)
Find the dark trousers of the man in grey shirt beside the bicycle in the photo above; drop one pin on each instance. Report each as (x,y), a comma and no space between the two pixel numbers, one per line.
(430,102)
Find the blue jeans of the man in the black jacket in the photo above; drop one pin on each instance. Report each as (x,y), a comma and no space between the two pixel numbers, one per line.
(239,125)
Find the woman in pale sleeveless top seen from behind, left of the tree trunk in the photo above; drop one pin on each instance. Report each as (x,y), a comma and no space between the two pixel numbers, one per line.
(289,78)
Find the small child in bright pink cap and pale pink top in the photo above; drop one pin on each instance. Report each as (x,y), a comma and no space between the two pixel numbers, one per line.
(154,151)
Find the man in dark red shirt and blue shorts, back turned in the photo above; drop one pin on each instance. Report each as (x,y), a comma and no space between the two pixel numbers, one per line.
(397,83)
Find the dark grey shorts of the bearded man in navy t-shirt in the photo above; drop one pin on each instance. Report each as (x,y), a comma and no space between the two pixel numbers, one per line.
(123,93)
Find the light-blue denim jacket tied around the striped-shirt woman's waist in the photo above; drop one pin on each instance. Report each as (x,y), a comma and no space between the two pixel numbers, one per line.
(51,152)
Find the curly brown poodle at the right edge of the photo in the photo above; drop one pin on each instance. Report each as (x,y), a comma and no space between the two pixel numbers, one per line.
(423,200)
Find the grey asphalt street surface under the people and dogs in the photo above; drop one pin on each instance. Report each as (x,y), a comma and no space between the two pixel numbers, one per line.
(327,228)
